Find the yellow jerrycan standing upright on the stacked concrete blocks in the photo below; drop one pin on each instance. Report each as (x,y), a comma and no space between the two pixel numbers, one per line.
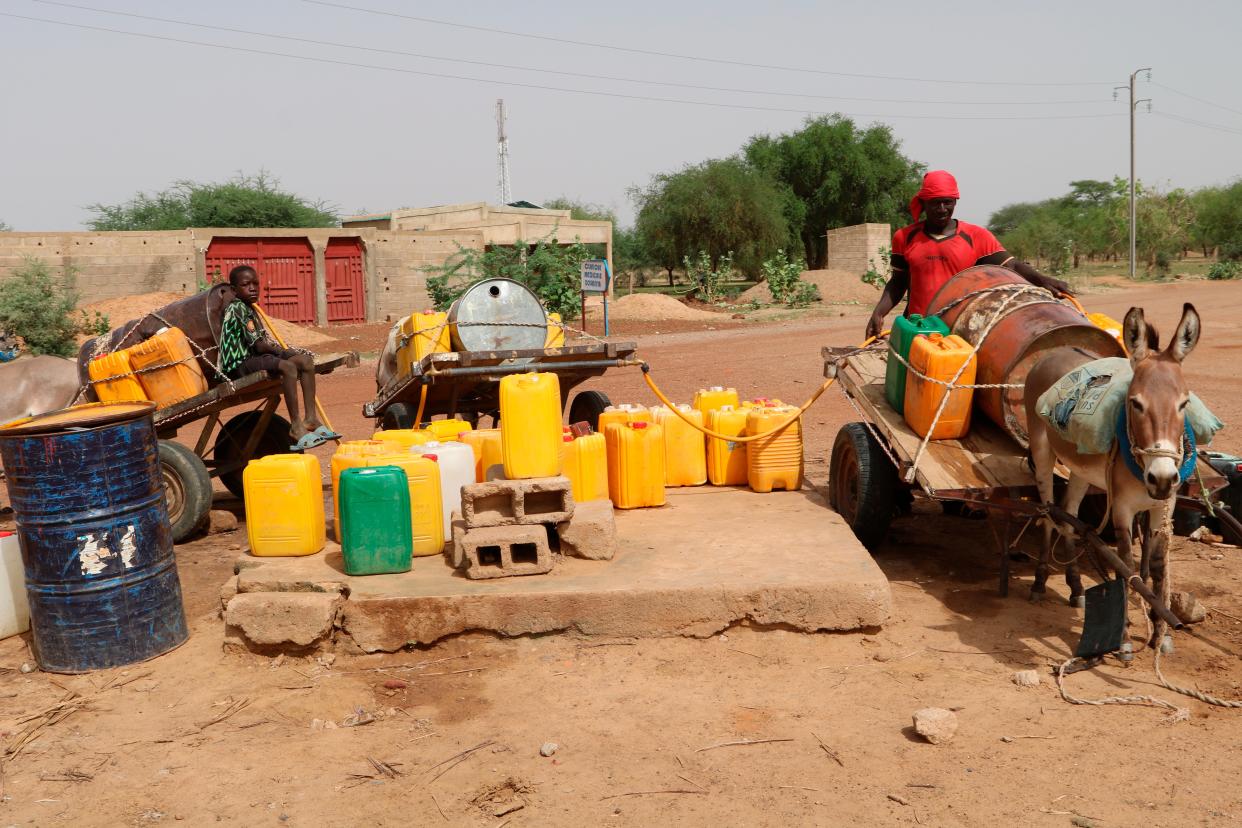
(531,430)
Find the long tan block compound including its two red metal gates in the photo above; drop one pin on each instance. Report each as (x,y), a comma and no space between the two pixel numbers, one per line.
(372,269)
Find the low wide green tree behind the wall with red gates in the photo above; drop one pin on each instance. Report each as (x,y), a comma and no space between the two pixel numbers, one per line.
(243,202)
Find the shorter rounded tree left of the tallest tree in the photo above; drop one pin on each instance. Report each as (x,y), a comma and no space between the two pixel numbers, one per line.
(718,208)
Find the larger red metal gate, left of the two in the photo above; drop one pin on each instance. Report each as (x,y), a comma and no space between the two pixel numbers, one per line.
(286,272)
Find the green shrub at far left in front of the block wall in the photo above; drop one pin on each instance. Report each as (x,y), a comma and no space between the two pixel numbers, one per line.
(40,307)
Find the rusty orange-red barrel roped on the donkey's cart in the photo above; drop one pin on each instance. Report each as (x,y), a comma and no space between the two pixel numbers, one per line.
(1030,326)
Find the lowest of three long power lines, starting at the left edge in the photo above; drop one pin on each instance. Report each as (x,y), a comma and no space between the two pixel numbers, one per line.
(537,86)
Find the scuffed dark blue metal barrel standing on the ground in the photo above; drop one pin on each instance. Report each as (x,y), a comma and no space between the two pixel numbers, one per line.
(96,542)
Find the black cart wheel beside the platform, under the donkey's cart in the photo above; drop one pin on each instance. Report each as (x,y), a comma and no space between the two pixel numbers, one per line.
(863,484)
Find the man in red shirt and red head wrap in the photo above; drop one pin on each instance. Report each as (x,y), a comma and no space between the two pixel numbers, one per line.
(931,253)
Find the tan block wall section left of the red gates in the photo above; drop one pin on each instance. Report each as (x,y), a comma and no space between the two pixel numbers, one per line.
(110,264)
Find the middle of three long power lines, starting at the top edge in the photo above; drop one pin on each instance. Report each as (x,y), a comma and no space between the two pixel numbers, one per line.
(577,75)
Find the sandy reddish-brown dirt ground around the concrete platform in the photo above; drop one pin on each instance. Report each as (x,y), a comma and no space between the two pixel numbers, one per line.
(201,737)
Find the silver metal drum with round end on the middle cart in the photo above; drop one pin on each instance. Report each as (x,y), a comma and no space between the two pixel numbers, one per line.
(499,315)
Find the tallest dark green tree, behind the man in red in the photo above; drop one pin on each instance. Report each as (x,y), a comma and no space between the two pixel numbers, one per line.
(834,174)
